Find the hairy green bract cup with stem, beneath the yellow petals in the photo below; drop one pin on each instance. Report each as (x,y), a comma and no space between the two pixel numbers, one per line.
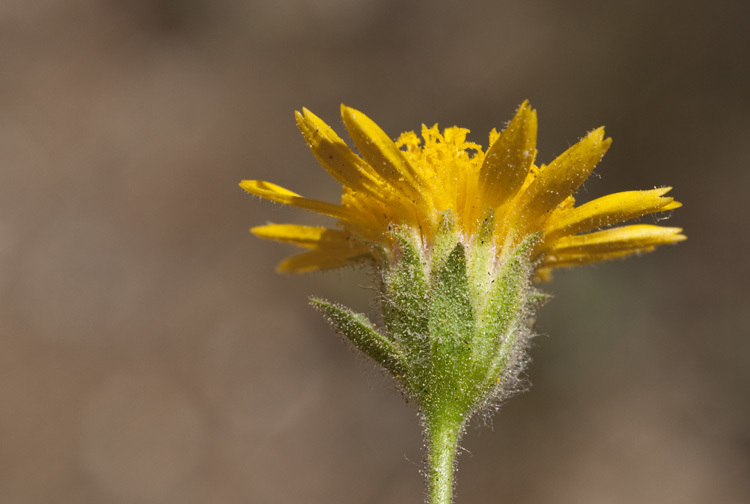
(455,329)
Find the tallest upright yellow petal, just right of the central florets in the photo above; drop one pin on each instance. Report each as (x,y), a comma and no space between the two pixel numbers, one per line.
(508,159)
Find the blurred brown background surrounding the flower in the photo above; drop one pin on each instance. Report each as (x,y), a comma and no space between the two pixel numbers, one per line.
(149,353)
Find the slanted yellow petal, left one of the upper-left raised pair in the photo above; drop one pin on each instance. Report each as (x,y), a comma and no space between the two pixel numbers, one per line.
(335,156)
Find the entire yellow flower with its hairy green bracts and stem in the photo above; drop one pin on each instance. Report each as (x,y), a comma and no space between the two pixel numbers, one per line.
(456,234)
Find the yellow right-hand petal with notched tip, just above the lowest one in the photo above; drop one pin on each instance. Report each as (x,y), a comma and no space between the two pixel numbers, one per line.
(608,210)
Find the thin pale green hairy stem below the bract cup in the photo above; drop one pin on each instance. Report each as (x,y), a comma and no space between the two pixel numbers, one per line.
(443,434)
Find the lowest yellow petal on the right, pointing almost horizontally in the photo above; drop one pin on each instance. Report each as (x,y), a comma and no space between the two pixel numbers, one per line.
(617,240)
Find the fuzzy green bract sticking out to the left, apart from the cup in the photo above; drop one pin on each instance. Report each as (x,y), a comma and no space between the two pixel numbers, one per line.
(358,329)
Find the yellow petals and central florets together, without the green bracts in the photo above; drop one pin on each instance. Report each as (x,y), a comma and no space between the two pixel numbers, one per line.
(408,185)
